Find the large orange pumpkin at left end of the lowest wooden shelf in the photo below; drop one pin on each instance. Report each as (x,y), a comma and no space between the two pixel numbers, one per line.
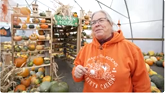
(20,61)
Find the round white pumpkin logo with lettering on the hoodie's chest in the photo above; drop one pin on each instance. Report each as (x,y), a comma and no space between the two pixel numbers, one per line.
(103,68)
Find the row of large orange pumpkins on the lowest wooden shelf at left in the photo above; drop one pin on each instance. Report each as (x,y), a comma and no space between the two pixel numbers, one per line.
(23,60)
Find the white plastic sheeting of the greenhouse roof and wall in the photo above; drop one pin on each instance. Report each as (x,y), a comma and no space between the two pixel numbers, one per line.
(146,16)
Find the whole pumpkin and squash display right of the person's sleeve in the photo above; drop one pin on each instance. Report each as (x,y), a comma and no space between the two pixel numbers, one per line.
(157,81)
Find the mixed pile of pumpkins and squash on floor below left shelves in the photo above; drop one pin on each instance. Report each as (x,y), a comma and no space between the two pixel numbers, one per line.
(34,80)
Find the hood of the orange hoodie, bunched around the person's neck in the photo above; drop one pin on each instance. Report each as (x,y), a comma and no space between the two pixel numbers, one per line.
(117,37)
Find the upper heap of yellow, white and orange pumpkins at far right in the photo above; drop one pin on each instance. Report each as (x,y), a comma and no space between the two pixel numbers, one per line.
(154,58)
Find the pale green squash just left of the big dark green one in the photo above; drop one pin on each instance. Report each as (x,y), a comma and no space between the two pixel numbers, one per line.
(45,86)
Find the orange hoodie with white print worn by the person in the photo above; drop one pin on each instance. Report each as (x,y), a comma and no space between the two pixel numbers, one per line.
(116,66)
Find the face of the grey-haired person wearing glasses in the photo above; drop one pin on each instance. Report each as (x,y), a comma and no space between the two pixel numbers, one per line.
(101,27)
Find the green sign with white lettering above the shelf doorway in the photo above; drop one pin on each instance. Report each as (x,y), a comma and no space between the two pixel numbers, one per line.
(66,20)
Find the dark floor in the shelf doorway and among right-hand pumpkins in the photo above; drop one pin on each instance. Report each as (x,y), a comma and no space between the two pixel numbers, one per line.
(65,70)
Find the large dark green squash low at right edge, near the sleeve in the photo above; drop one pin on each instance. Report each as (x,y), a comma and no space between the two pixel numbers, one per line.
(158,80)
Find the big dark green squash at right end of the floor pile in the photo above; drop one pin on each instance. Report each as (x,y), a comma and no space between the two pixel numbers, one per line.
(59,87)
